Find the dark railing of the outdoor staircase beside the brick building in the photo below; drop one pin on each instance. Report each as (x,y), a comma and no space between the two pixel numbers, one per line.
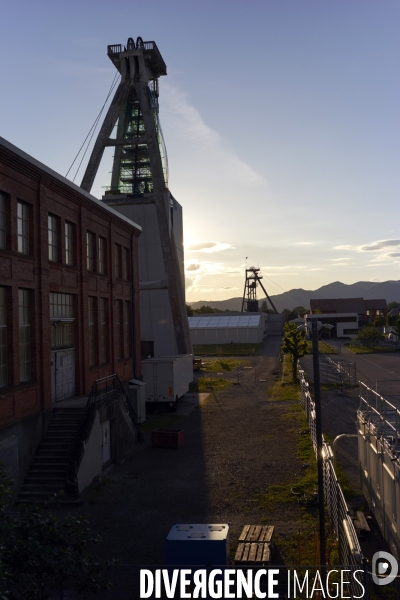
(103,390)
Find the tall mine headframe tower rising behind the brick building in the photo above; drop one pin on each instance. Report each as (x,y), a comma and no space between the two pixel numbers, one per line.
(139,188)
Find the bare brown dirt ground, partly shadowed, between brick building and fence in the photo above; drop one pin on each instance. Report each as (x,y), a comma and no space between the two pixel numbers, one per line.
(237,444)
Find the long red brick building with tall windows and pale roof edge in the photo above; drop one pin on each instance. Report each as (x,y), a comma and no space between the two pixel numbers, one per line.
(69,298)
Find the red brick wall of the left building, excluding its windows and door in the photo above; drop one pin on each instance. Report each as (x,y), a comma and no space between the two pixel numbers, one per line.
(24,180)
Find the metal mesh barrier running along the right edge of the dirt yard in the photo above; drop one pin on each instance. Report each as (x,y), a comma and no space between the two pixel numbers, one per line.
(349,547)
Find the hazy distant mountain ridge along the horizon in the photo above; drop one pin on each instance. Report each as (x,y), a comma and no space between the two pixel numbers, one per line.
(389,290)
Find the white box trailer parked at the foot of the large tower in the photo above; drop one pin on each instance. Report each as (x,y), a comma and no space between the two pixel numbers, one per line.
(167,379)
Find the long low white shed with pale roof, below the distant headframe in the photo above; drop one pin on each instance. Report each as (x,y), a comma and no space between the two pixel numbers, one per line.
(239,329)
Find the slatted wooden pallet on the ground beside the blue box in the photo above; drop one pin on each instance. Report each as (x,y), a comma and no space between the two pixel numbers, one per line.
(255,545)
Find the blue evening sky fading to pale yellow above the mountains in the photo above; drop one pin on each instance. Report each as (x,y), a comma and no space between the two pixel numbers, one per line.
(280,117)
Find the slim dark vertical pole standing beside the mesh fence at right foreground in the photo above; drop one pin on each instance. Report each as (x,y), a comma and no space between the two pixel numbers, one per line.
(318,423)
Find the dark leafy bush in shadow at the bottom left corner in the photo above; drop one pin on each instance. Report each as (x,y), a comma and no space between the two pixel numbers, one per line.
(42,552)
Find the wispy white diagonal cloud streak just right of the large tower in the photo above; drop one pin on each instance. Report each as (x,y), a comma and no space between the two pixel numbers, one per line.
(187,124)
